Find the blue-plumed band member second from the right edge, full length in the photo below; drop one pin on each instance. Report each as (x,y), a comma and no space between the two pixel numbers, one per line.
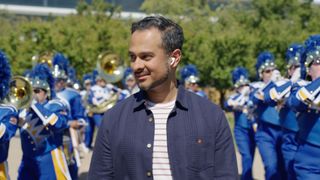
(278,96)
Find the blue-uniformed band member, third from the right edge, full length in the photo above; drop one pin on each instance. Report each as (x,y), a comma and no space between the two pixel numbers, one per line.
(268,135)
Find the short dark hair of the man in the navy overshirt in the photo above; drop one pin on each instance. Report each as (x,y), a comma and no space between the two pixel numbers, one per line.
(171,32)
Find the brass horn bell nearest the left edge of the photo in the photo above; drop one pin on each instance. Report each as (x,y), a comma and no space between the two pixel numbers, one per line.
(20,93)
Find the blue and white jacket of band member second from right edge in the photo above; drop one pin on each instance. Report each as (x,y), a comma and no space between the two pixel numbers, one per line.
(287,115)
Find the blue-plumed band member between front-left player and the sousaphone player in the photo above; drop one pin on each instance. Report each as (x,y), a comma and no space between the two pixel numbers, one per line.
(75,112)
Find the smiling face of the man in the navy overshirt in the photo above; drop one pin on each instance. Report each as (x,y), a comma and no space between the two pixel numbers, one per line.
(149,60)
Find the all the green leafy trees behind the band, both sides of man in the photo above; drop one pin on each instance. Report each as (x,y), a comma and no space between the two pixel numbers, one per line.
(219,36)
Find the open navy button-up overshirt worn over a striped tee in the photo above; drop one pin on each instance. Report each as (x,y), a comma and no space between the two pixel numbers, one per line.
(200,144)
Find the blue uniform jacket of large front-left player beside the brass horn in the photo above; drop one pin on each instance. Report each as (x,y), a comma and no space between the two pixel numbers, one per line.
(43,128)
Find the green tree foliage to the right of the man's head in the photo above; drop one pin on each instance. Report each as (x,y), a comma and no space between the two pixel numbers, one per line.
(219,39)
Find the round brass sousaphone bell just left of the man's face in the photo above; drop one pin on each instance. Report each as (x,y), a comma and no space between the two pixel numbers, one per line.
(109,67)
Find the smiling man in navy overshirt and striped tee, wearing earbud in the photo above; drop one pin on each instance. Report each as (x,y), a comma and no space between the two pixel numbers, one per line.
(163,131)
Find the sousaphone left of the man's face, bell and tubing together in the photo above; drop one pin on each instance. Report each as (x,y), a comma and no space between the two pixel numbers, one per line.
(110,69)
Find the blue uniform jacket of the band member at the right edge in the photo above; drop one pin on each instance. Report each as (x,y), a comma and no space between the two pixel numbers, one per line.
(308,118)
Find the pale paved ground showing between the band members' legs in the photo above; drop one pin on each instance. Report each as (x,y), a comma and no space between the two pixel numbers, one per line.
(15,158)
